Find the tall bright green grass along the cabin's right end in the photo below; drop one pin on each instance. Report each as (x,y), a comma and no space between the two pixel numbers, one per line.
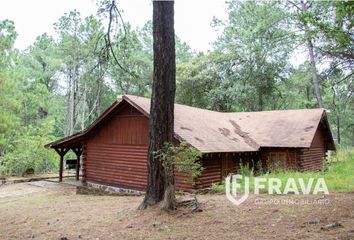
(338,173)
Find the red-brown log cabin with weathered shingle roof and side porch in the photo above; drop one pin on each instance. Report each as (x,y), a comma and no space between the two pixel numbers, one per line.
(113,150)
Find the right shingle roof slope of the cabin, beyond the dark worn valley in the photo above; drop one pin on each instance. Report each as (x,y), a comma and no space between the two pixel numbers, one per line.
(285,128)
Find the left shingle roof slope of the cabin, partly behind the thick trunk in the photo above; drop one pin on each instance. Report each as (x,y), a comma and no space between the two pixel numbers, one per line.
(202,128)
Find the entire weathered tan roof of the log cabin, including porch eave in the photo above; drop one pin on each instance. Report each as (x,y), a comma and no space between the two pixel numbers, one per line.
(211,131)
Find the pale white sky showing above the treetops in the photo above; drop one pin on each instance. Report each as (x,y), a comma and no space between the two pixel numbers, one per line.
(192,17)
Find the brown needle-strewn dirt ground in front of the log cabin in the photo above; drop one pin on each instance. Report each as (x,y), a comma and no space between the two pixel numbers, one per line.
(45,210)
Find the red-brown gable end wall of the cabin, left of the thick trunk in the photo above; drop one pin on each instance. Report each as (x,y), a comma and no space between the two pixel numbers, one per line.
(117,152)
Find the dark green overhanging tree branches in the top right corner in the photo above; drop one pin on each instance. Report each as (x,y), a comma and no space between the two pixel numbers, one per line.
(331,26)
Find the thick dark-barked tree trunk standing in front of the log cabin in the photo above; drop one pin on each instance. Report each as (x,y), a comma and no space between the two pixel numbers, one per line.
(162,101)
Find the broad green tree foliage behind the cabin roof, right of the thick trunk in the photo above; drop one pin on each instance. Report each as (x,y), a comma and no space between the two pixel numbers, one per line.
(250,60)
